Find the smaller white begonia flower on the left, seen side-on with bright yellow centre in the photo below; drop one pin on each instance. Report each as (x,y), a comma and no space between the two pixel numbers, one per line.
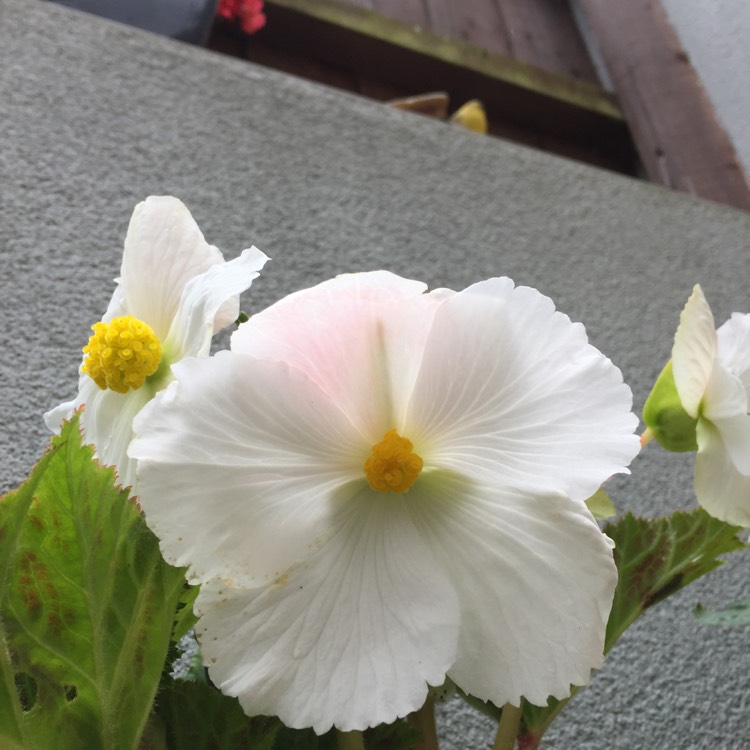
(174,292)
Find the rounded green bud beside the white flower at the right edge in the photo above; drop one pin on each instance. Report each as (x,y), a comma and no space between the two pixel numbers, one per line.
(664,415)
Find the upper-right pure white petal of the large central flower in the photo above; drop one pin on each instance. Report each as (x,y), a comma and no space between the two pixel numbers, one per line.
(511,391)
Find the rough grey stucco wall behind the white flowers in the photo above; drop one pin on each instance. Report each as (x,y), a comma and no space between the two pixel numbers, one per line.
(96,116)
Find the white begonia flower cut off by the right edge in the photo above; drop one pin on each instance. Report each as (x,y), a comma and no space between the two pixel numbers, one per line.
(712,376)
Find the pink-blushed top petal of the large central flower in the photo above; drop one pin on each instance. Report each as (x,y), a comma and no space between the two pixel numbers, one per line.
(358,336)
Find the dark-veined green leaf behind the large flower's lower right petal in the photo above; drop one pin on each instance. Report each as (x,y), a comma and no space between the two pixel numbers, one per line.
(655,557)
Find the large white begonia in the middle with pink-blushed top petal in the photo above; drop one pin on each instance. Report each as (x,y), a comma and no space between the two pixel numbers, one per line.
(380,487)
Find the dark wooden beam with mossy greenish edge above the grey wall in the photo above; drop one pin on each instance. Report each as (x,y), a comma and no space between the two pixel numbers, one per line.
(370,43)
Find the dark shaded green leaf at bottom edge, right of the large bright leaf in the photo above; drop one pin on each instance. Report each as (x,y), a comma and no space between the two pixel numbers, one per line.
(196,716)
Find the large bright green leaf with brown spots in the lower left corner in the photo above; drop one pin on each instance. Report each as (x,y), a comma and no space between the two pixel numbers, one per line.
(87,606)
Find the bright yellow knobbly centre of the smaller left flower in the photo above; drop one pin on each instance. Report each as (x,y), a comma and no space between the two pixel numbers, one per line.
(121,354)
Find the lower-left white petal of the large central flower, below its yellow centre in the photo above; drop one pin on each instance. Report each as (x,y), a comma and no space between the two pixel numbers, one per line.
(350,638)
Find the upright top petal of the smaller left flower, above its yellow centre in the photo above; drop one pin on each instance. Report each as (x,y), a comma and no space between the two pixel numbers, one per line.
(164,250)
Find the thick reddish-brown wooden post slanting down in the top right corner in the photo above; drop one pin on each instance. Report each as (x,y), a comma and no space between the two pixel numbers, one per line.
(674,126)
